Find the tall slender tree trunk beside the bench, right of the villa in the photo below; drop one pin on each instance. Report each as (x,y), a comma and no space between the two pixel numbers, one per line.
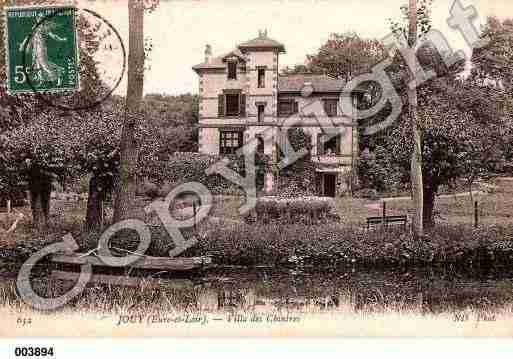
(416,159)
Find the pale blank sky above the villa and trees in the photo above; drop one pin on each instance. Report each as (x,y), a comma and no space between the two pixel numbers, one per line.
(180,29)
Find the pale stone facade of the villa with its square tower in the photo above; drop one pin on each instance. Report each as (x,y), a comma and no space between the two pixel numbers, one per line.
(243,97)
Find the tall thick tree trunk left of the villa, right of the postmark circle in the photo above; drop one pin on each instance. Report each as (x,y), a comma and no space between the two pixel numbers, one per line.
(126,184)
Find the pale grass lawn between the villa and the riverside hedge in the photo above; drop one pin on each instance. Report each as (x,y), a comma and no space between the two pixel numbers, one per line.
(496,208)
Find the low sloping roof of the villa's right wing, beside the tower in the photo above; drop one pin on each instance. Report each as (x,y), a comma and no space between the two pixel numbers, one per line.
(320,83)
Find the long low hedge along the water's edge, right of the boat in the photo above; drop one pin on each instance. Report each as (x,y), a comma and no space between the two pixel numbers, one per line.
(334,245)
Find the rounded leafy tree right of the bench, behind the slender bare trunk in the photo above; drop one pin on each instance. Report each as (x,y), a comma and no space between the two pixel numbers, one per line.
(463,126)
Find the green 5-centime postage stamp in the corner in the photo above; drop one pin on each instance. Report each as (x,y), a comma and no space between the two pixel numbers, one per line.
(41,49)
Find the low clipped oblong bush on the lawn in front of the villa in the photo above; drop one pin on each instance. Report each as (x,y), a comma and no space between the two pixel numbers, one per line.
(306,210)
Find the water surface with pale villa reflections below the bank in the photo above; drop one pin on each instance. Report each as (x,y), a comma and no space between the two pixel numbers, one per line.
(266,291)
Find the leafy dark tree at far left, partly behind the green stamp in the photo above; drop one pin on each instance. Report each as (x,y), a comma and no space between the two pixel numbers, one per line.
(40,161)
